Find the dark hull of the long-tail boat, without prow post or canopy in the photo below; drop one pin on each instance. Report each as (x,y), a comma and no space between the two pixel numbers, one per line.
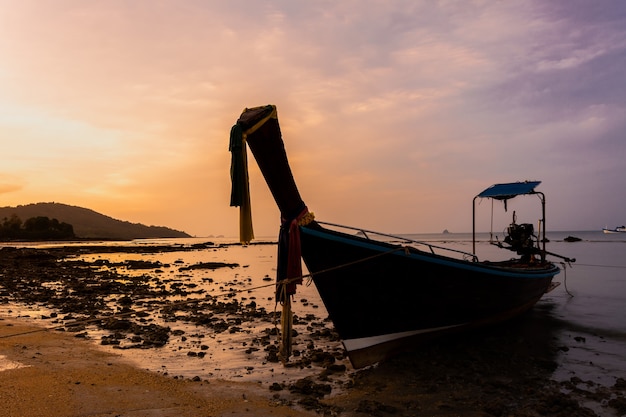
(384,298)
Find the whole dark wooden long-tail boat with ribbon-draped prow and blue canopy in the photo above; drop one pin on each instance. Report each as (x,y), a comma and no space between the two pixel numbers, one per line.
(384,293)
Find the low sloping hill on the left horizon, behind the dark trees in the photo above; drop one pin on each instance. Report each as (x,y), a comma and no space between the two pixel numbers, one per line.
(89,224)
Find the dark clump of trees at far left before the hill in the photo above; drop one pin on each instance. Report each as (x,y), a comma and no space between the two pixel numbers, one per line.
(34,228)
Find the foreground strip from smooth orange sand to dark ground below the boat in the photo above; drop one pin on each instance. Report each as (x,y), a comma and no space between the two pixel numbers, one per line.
(51,373)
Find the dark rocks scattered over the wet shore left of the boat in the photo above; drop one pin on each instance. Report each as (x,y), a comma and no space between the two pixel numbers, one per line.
(115,296)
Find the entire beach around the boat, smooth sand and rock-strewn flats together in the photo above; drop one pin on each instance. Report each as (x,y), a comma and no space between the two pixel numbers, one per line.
(68,371)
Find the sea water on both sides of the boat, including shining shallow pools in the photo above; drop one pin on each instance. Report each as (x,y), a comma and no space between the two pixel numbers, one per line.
(586,314)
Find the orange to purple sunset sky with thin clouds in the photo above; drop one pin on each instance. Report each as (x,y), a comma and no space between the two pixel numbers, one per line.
(395,114)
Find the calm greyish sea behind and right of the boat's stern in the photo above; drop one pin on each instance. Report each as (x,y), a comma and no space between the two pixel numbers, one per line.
(587,311)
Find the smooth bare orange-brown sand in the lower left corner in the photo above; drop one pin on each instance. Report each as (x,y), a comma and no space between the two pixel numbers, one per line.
(65,376)
